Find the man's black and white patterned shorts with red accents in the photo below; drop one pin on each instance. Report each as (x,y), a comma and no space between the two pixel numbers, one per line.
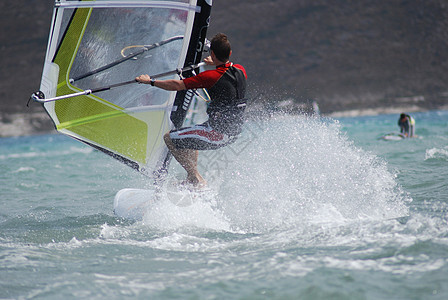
(200,137)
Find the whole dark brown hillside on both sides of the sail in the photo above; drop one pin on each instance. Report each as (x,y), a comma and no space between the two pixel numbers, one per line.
(344,54)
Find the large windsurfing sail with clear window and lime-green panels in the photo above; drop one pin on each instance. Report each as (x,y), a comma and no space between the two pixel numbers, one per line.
(100,47)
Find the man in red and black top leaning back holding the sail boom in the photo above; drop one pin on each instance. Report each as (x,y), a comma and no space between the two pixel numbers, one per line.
(226,86)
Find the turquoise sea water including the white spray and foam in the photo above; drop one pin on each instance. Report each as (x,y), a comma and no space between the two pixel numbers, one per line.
(303,208)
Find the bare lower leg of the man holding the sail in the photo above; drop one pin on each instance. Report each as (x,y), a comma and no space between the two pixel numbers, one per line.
(188,159)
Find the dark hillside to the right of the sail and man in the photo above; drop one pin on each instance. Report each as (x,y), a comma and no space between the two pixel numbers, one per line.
(344,54)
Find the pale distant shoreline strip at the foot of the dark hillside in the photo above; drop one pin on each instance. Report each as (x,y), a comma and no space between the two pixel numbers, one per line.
(36,123)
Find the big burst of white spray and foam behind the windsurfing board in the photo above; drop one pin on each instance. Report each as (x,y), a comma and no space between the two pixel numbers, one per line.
(297,170)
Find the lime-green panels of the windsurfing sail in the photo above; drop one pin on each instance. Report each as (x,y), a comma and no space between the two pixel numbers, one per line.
(88,116)
